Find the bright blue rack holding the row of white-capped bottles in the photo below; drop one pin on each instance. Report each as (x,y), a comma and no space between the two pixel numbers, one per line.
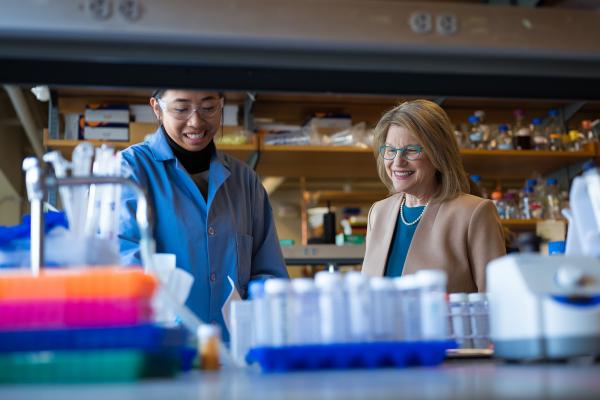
(350,355)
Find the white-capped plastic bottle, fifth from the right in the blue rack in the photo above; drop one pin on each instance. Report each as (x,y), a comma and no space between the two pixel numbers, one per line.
(332,307)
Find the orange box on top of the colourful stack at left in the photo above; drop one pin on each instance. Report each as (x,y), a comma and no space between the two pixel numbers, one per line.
(97,282)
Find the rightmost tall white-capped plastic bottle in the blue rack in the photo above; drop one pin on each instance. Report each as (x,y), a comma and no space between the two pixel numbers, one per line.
(434,309)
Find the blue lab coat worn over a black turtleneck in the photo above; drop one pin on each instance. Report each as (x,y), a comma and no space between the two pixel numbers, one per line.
(230,233)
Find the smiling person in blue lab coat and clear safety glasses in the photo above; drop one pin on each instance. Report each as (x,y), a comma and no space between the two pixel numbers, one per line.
(209,209)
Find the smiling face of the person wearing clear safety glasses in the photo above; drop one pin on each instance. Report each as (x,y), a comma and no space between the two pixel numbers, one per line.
(195,132)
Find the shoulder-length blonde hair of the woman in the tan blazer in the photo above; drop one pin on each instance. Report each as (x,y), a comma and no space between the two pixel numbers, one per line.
(430,124)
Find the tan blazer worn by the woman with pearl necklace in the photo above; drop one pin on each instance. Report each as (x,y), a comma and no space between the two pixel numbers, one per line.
(460,236)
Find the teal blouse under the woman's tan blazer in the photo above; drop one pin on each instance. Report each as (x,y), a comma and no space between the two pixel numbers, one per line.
(401,241)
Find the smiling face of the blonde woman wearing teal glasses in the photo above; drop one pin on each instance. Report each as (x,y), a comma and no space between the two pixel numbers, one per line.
(415,178)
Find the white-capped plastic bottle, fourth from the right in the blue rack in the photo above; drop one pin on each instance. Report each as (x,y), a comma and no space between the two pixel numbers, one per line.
(358,297)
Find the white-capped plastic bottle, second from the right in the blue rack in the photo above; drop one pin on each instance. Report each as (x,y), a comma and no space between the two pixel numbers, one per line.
(409,307)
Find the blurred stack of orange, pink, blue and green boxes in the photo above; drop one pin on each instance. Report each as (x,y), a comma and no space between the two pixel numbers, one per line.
(83,325)
